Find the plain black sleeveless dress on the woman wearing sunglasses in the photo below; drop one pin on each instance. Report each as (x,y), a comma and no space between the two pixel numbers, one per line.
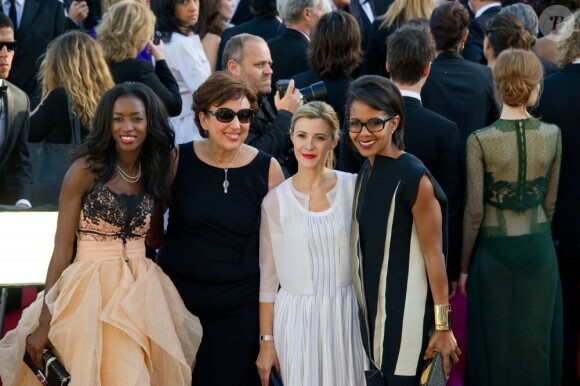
(210,253)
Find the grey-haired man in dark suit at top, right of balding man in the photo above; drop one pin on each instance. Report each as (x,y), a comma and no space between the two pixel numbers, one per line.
(289,49)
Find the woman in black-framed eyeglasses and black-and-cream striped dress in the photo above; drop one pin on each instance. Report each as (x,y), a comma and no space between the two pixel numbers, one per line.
(399,226)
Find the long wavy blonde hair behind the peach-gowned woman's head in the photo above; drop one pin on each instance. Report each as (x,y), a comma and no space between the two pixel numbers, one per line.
(68,60)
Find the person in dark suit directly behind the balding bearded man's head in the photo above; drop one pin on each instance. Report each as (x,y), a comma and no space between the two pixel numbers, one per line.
(265,24)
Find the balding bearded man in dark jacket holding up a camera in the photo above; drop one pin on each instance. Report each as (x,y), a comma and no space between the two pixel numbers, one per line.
(248,57)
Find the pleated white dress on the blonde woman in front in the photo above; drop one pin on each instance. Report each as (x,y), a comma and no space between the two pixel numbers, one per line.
(316,326)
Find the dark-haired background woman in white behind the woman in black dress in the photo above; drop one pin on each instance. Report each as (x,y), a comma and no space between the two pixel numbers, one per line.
(185,57)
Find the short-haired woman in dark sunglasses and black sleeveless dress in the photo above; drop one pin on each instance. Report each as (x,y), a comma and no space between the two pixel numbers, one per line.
(211,244)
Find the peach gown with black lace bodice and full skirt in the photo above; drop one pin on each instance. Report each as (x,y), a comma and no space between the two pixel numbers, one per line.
(116,317)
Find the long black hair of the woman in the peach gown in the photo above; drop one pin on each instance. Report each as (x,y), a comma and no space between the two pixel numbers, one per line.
(158,151)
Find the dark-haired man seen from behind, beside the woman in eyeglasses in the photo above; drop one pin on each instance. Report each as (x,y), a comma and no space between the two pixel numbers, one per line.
(429,136)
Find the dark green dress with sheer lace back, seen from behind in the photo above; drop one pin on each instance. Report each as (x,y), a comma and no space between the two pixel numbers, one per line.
(514,297)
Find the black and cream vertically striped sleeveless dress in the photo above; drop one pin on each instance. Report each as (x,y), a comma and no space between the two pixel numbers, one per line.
(390,276)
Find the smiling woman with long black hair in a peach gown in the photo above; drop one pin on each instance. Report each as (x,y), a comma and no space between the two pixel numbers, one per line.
(111,317)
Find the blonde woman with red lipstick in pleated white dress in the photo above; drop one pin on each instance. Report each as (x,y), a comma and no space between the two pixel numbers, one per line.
(310,328)
